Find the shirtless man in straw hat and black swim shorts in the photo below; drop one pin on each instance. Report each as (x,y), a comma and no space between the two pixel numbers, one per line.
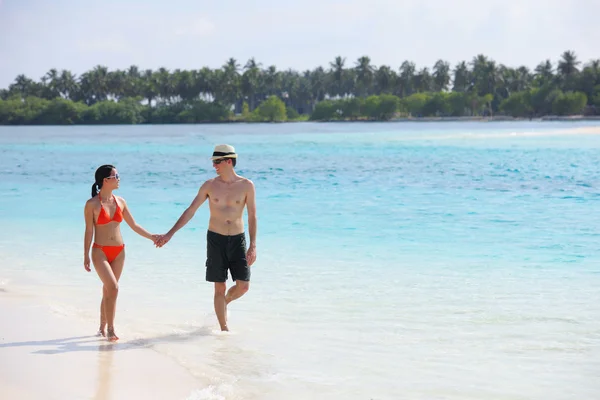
(227,195)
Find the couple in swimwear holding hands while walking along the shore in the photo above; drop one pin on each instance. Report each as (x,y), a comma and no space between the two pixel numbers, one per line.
(227,194)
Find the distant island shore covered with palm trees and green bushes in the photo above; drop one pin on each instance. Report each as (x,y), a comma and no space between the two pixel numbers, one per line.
(481,88)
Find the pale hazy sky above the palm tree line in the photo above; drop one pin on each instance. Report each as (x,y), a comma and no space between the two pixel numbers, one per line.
(77,35)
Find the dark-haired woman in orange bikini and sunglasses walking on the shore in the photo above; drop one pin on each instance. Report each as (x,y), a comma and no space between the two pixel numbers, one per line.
(104,212)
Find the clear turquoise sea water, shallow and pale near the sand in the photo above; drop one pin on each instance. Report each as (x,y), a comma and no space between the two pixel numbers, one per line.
(395,260)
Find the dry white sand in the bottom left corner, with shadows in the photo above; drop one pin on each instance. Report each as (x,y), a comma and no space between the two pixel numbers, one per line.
(49,356)
